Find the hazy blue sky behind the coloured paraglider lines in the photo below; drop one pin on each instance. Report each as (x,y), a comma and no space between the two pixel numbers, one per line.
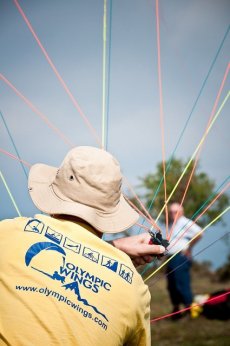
(191,32)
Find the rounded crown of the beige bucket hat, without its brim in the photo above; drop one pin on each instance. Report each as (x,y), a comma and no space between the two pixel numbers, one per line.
(89,176)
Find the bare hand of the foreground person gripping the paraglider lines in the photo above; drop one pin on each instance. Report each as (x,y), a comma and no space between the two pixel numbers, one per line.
(138,248)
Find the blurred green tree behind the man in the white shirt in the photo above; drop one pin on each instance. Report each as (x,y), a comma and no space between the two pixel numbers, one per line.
(201,189)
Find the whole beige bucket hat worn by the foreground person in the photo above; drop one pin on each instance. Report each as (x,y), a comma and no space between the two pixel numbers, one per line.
(87,185)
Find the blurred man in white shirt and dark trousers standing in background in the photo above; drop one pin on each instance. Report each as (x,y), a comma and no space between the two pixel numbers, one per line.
(178,268)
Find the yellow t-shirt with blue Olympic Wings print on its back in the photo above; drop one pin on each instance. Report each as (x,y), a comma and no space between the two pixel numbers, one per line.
(62,285)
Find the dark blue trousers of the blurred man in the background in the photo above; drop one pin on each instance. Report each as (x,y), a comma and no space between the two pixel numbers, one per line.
(179,282)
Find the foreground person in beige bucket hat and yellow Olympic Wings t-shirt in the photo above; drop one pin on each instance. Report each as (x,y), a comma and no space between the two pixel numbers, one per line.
(60,283)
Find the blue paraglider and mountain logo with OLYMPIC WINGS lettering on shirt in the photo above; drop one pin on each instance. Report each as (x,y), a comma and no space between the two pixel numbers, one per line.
(35,258)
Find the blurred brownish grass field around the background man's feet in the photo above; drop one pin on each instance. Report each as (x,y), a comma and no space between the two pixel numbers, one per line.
(187,331)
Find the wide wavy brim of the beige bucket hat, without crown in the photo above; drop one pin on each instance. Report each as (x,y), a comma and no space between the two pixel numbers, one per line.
(41,191)
